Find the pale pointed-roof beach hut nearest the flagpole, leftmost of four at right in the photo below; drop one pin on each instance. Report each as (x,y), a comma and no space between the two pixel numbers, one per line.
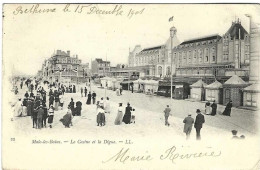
(198,90)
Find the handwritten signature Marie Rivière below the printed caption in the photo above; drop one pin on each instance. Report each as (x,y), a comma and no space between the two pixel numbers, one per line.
(171,154)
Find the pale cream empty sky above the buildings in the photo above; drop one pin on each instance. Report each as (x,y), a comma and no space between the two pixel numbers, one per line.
(30,38)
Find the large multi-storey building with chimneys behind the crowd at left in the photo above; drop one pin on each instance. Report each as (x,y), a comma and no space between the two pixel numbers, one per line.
(65,68)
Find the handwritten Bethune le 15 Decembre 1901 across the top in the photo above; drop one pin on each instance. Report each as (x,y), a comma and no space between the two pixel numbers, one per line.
(89,9)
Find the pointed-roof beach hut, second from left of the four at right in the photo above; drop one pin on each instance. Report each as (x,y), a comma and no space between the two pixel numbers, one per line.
(214,91)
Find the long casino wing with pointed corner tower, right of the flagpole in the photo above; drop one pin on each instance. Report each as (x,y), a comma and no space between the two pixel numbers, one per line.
(215,56)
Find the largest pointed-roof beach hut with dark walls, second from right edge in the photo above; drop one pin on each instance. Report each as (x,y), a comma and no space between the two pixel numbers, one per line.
(232,90)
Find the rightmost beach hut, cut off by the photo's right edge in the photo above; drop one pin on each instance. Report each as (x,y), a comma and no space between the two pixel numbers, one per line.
(251,96)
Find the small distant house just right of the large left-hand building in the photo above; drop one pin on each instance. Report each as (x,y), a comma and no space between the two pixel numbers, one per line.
(100,67)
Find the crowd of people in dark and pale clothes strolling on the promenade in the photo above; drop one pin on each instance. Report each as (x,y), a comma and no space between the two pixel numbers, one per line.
(34,104)
